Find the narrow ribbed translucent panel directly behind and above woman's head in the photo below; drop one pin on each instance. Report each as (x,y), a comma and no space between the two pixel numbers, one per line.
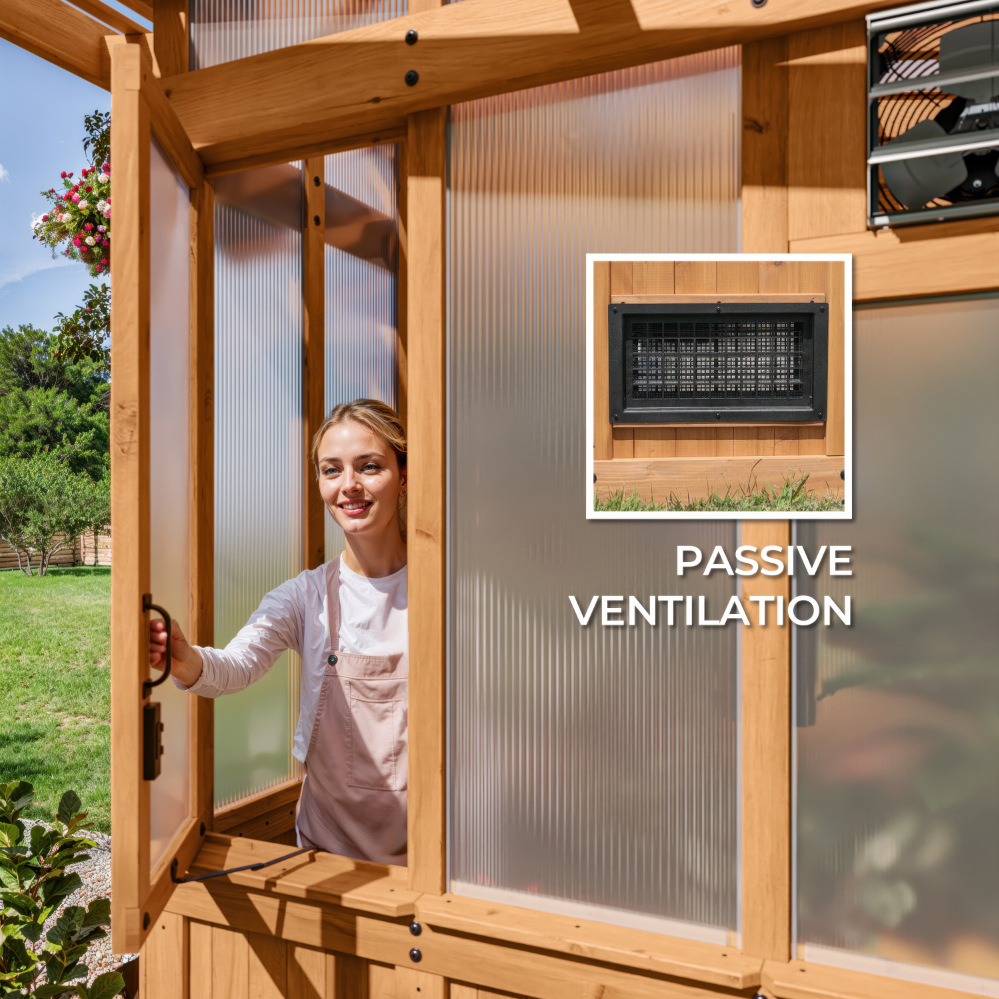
(361,326)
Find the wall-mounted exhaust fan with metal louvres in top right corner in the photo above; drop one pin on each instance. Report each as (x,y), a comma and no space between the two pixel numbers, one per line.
(934,112)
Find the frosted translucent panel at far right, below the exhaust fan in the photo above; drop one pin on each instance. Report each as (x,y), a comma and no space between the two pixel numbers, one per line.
(898,776)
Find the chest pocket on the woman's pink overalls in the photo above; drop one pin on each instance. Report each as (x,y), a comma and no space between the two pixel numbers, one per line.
(377,734)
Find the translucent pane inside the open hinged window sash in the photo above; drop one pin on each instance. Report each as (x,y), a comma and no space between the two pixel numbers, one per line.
(169,472)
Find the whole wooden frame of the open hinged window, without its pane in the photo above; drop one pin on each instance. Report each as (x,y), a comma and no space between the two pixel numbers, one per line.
(140,109)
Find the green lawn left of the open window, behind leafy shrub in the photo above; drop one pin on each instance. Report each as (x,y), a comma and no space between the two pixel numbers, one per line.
(55,687)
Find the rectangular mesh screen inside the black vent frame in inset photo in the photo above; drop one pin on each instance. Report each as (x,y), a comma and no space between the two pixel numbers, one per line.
(757,359)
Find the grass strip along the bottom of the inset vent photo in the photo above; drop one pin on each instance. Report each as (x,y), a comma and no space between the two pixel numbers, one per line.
(792,496)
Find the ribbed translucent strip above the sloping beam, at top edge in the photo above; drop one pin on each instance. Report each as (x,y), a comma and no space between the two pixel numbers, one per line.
(224,30)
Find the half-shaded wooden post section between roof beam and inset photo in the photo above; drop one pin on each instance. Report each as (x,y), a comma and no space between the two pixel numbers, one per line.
(764,146)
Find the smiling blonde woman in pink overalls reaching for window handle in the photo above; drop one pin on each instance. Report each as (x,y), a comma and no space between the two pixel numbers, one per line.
(348,621)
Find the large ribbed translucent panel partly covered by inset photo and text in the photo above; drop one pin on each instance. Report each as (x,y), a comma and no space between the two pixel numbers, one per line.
(587,765)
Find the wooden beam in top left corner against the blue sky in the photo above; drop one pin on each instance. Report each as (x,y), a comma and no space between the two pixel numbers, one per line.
(60,34)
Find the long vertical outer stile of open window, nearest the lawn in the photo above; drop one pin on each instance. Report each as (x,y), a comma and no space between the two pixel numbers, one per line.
(129,497)
